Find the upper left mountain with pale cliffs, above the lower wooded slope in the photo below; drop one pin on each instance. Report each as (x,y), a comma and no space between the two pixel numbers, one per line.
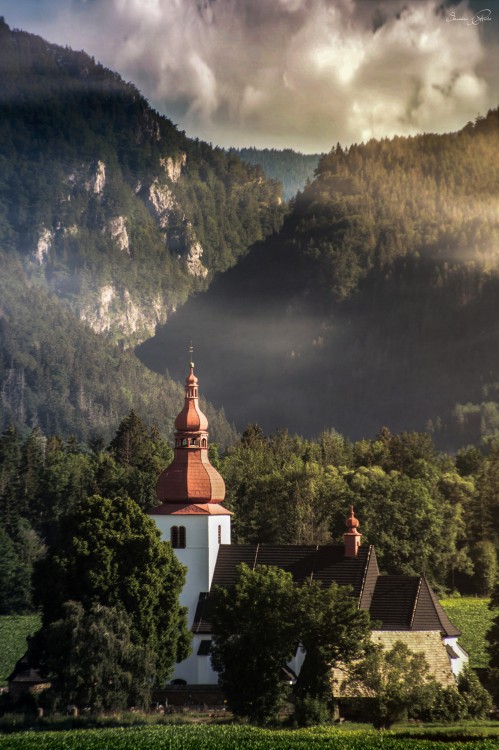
(109,204)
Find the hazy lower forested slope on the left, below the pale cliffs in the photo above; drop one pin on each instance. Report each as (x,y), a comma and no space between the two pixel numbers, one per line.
(68,380)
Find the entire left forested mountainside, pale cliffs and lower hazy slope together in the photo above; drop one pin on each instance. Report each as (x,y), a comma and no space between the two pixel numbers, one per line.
(109,218)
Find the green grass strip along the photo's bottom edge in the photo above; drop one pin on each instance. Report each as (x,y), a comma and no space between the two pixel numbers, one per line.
(249,738)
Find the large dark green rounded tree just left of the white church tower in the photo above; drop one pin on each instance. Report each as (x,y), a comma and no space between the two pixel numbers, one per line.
(109,553)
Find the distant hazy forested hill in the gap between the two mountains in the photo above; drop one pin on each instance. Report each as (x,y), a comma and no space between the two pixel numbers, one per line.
(289,167)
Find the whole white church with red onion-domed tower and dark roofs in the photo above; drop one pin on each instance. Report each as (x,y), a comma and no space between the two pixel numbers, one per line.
(191,516)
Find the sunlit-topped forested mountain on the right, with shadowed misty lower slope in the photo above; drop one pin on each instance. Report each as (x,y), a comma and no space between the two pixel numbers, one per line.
(376,304)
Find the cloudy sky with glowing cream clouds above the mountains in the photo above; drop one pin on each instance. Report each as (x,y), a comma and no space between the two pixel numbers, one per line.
(302,74)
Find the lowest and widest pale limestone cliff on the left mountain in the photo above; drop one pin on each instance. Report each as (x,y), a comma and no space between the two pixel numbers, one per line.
(113,312)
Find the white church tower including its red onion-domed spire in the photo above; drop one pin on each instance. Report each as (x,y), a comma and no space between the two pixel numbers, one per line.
(190,515)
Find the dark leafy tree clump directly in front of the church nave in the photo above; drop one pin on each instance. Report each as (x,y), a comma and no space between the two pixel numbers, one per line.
(258,625)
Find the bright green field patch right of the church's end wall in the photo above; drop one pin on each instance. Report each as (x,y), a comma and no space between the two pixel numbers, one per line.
(473,618)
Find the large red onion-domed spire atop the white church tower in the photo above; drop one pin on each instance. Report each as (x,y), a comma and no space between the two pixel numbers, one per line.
(191,478)
